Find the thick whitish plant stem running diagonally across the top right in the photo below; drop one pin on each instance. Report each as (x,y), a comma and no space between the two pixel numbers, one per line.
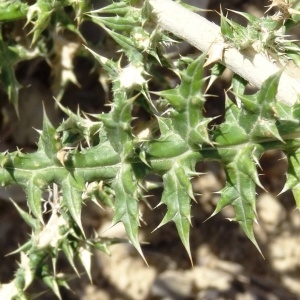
(199,32)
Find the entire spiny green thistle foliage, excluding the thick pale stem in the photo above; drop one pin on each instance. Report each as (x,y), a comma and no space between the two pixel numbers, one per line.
(106,158)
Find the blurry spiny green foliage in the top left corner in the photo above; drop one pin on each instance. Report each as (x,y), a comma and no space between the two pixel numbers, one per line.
(37,20)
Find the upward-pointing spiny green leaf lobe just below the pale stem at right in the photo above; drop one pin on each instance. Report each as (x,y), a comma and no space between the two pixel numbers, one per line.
(259,116)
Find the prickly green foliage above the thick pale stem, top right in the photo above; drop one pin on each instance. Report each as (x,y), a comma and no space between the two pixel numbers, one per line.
(268,35)
